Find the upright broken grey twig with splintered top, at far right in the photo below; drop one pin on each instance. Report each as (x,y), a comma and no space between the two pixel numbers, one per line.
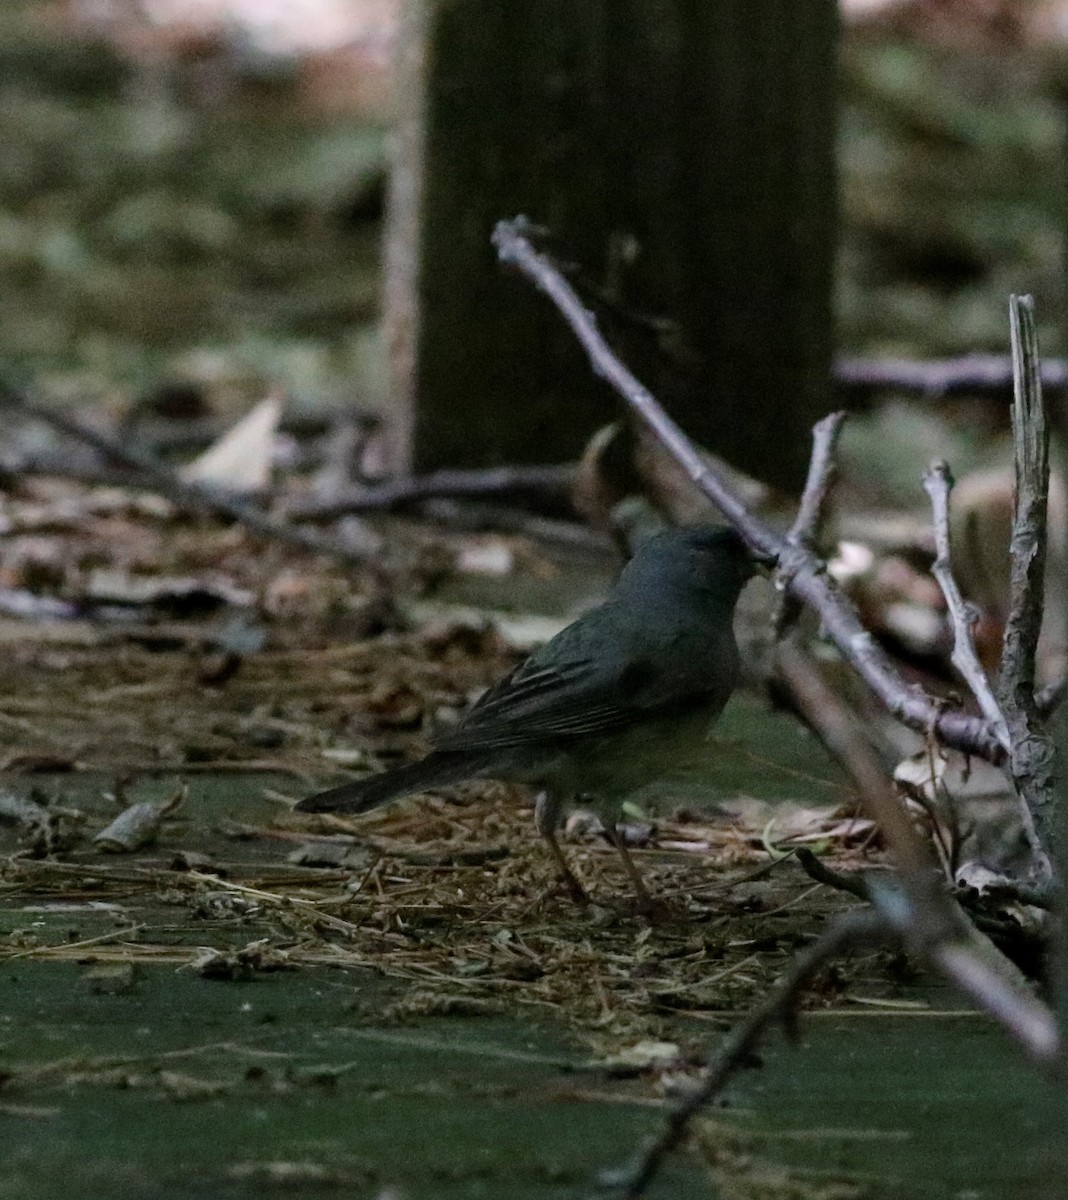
(1031,759)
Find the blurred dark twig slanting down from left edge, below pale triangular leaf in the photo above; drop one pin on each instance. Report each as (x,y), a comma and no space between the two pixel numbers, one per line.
(190,497)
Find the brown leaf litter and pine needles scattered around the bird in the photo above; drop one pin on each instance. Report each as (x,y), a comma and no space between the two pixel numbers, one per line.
(452,898)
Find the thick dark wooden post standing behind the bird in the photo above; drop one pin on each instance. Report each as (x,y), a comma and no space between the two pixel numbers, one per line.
(682,153)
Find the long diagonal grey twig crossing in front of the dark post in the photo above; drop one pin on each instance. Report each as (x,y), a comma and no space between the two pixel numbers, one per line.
(801,572)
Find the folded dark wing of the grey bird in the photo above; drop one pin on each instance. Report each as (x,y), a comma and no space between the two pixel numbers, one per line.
(578,686)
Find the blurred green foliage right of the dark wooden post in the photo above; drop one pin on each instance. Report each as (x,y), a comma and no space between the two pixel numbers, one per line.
(953,196)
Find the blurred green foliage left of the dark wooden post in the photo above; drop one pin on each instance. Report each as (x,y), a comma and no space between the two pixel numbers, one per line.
(147,213)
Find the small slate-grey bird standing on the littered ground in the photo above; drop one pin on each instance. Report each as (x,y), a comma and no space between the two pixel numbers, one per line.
(622,698)
